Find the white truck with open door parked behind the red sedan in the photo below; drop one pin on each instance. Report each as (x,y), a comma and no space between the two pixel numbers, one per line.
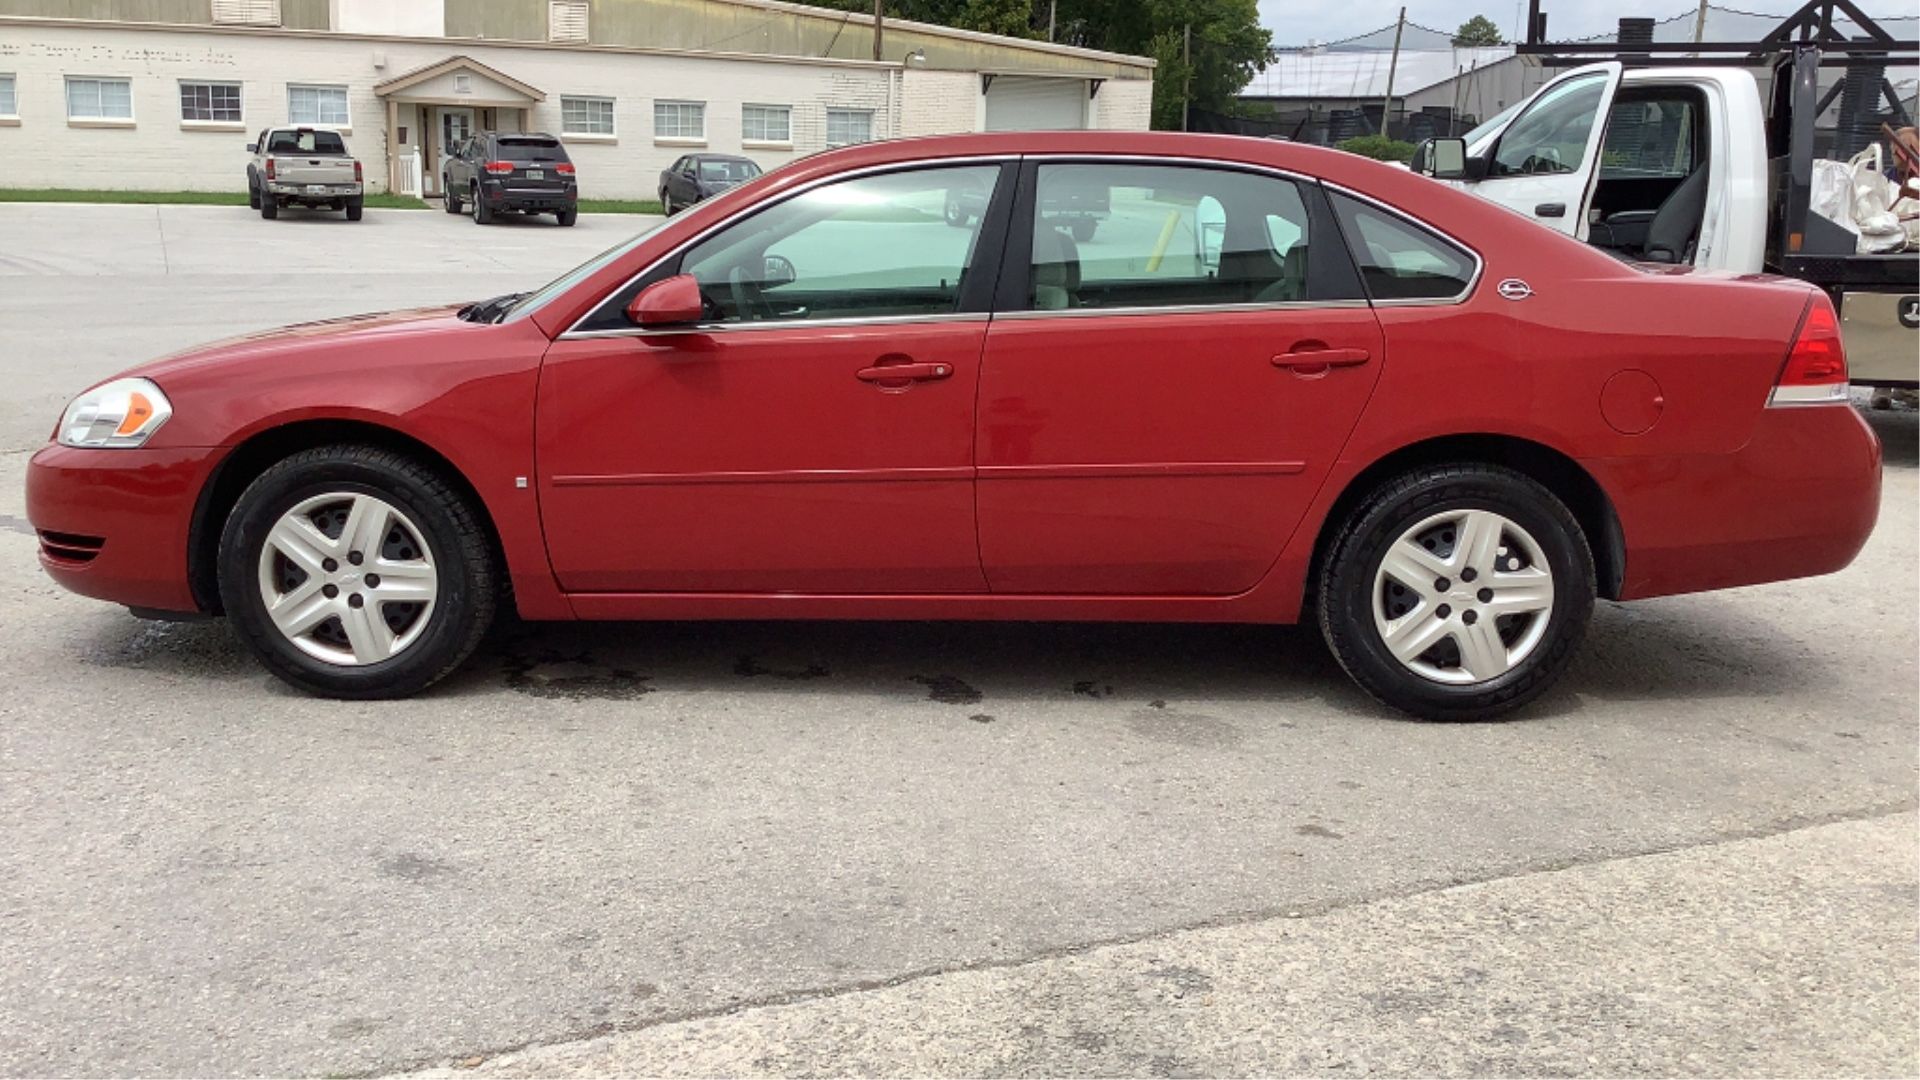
(1689,166)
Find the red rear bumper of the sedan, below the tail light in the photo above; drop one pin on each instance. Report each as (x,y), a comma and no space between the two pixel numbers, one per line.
(1798,501)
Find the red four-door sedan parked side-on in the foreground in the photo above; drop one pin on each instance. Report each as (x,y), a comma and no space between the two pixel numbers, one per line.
(1268,383)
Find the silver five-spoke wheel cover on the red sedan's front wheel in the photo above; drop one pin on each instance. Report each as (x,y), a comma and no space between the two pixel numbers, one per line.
(302,610)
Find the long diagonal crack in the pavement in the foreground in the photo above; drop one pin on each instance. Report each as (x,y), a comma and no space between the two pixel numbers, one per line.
(1220,921)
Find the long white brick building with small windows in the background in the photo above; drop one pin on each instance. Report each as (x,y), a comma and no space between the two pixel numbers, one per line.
(170,105)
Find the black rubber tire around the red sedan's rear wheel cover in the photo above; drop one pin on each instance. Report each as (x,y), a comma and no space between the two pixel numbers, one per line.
(1347,589)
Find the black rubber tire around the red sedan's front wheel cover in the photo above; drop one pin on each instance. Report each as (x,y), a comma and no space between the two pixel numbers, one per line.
(448,524)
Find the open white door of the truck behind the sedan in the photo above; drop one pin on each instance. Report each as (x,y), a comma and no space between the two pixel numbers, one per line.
(1547,160)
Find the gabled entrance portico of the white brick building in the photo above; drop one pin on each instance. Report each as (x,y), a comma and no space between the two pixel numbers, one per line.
(435,107)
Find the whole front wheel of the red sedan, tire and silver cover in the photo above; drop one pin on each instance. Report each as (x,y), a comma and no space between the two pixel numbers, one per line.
(356,572)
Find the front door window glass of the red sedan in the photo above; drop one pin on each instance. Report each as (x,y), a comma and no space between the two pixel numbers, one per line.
(871,247)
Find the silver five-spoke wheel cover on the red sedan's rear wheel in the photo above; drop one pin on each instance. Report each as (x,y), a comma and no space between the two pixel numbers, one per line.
(1489,545)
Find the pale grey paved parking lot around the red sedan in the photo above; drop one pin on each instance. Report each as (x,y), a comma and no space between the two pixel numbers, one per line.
(909,848)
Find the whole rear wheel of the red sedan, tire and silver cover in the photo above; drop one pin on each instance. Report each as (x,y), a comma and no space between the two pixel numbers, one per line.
(1458,591)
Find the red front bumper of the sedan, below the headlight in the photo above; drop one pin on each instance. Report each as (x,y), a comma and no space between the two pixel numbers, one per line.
(114,524)
